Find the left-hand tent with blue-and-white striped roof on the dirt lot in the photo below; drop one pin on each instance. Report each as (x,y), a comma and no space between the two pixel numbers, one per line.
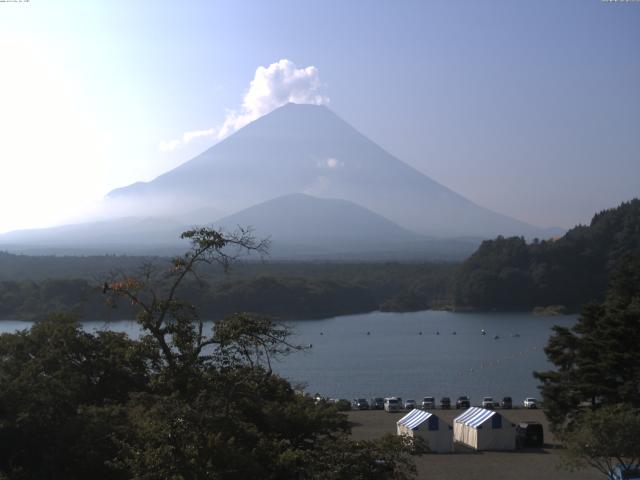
(437,434)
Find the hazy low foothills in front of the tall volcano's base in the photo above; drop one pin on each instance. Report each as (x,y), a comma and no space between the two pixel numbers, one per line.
(300,227)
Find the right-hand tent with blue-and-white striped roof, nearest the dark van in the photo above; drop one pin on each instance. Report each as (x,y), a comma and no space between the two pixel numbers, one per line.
(484,429)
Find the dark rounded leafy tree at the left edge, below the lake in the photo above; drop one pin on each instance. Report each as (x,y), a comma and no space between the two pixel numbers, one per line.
(50,379)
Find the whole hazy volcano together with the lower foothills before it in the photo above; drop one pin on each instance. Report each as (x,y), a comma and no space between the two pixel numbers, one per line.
(302,176)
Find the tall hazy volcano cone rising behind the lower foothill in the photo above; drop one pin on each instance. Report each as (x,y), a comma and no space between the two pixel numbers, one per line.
(309,149)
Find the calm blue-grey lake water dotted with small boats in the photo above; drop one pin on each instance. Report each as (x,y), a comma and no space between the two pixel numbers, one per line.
(393,358)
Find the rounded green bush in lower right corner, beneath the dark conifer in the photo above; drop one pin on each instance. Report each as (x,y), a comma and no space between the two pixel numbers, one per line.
(604,438)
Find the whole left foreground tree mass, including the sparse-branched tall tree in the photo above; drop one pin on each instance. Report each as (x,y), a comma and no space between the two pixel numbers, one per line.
(180,403)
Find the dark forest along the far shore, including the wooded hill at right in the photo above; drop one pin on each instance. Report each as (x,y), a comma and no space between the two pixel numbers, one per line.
(503,274)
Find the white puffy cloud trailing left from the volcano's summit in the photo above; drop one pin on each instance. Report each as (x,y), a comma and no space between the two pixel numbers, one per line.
(273,86)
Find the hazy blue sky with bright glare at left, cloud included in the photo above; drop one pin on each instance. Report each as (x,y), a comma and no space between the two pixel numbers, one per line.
(530,108)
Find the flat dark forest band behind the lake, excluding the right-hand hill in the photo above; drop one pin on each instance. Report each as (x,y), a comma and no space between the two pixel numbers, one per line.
(281,290)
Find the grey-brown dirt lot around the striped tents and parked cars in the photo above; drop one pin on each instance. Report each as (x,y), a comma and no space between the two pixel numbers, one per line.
(527,464)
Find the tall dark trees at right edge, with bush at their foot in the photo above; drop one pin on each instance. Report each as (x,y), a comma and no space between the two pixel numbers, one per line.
(592,399)
